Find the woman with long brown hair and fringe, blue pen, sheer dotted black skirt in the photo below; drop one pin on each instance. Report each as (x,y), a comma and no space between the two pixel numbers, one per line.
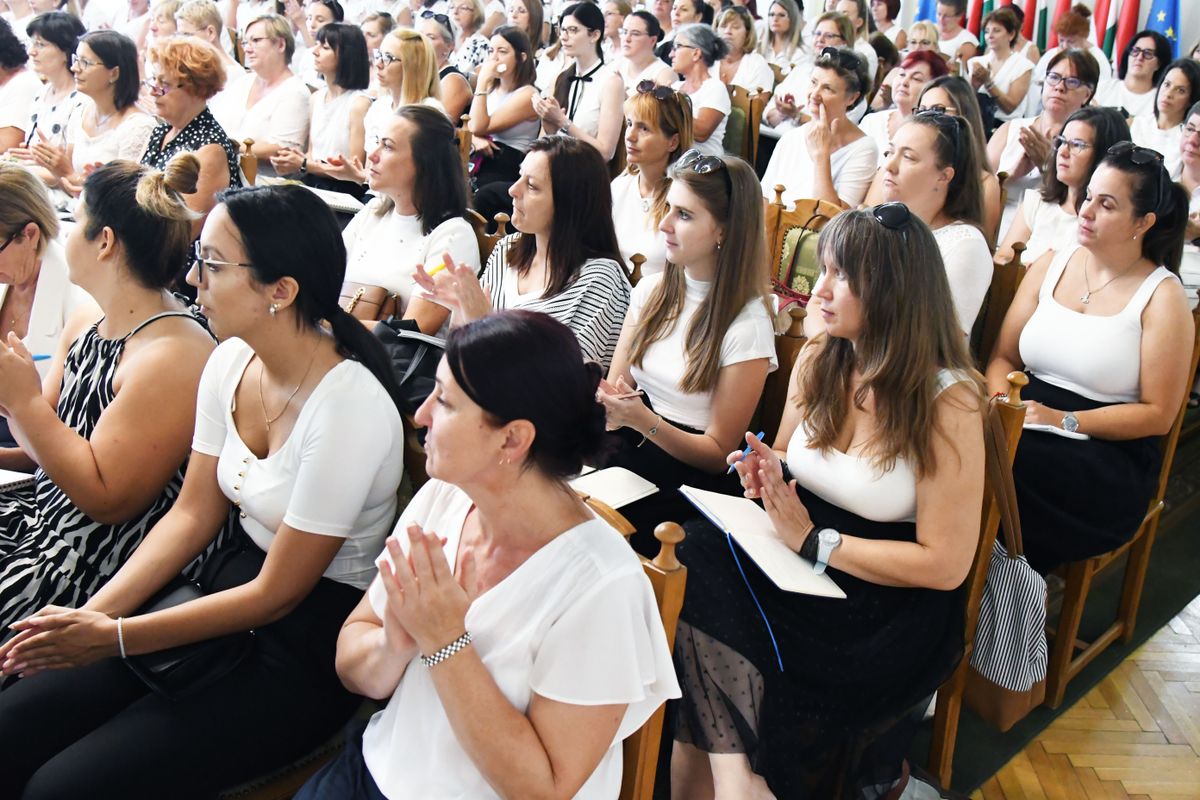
(877,477)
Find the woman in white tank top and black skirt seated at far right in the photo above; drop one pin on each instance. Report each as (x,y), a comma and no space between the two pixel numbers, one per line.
(1105,334)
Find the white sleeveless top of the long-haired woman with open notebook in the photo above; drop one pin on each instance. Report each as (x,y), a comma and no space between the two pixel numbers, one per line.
(851,480)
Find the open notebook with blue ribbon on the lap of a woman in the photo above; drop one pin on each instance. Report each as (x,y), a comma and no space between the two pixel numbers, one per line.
(751,527)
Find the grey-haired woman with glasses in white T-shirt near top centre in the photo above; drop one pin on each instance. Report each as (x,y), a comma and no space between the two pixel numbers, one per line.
(695,51)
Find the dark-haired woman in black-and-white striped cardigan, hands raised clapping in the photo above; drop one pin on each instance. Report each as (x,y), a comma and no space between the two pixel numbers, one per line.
(565,260)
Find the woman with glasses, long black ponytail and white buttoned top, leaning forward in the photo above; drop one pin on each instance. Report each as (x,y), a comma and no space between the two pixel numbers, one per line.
(298,442)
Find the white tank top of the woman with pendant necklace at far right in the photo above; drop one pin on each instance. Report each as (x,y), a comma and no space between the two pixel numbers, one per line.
(1096,357)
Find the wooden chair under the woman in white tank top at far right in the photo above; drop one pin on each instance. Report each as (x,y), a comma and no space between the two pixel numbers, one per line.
(1065,665)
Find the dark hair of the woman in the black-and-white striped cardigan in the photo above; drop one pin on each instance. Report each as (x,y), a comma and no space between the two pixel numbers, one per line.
(583,227)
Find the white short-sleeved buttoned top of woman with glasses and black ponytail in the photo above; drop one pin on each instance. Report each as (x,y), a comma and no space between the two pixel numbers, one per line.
(335,476)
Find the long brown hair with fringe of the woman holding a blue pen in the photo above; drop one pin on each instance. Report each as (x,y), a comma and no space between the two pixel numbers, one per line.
(910,333)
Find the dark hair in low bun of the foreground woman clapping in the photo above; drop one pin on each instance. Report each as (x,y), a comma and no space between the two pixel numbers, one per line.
(523,365)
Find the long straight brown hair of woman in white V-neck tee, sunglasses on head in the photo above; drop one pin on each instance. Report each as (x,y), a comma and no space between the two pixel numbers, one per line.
(734,197)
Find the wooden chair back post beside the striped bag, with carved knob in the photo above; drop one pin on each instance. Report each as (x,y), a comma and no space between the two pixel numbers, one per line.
(1011,414)
